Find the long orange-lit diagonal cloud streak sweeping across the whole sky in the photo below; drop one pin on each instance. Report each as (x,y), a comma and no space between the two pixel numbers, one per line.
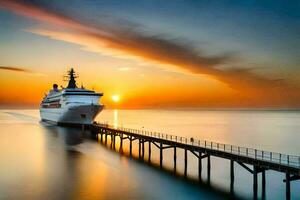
(127,40)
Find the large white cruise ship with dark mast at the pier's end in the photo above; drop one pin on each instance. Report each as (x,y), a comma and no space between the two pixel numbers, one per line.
(70,105)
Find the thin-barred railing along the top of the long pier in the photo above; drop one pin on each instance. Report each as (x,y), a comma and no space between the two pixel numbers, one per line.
(279,158)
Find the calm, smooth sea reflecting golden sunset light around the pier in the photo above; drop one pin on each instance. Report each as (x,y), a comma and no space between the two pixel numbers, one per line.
(42,161)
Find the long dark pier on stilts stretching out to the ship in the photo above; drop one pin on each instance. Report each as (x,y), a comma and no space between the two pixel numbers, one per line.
(254,161)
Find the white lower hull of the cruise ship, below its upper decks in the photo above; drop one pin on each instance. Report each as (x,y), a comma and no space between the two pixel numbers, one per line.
(72,114)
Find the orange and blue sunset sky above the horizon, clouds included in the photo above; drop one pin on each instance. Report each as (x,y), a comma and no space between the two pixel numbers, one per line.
(153,54)
